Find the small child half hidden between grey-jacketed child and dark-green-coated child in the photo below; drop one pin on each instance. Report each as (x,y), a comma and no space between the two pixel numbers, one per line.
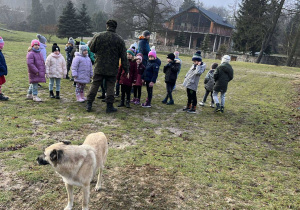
(209,85)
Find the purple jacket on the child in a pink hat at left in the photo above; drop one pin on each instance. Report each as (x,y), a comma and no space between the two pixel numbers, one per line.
(36,65)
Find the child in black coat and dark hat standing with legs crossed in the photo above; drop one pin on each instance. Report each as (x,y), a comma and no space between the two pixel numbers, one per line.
(171,70)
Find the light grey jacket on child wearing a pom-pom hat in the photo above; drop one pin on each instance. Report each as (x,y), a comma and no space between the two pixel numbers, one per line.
(192,78)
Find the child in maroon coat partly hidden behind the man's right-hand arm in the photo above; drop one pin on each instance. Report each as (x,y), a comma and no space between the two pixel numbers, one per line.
(125,81)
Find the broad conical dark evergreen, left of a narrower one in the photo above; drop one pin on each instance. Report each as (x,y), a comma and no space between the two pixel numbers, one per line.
(68,22)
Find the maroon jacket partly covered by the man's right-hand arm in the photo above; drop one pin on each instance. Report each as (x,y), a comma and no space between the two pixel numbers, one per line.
(122,76)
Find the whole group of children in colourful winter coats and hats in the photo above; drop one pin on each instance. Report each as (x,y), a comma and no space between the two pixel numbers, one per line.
(54,67)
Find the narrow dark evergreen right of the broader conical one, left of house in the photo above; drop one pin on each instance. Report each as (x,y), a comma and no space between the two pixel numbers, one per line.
(85,22)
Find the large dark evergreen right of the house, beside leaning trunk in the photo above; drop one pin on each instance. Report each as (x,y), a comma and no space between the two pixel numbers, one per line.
(250,25)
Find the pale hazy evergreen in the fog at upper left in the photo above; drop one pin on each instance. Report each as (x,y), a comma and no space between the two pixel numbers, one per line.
(36,16)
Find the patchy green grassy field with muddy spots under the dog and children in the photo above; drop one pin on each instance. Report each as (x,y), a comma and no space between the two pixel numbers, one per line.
(159,158)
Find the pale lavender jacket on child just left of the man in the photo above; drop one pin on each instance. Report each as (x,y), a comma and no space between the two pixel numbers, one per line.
(82,68)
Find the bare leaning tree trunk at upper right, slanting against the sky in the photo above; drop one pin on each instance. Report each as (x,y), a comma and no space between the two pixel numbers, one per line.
(270,32)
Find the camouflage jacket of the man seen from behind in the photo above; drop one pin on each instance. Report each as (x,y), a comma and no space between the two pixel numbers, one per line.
(109,48)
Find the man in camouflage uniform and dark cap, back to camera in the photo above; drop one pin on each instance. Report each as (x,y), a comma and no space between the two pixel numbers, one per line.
(109,48)
